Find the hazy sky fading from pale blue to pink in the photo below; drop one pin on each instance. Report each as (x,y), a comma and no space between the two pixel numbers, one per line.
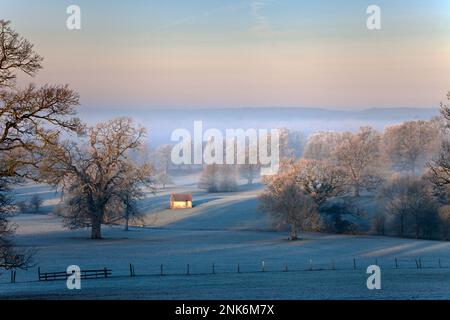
(251,53)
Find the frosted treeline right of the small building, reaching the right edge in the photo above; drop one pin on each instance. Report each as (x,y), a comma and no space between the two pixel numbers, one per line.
(404,170)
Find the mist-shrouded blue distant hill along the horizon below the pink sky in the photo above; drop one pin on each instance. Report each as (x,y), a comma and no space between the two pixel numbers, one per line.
(161,122)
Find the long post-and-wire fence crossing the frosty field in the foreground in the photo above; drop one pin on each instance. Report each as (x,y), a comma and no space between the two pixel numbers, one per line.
(264,266)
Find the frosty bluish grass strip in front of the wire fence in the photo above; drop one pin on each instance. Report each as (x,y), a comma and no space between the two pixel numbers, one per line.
(396,284)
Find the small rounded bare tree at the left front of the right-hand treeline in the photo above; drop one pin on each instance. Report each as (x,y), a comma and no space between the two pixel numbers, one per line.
(287,204)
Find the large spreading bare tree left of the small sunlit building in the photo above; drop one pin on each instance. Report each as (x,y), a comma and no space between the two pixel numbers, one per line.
(95,174)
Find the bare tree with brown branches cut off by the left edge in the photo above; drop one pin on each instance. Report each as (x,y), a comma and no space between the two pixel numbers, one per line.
(31,119)
